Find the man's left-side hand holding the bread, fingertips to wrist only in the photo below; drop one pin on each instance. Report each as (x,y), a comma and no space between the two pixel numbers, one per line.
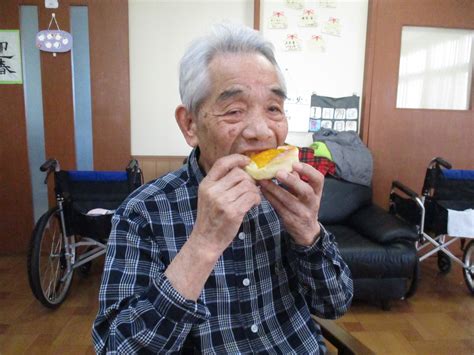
(225,195)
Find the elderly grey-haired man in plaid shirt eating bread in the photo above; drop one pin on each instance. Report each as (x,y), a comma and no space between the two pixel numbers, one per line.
(206,259)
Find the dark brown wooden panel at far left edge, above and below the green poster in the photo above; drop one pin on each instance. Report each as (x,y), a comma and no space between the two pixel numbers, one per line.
(16,217)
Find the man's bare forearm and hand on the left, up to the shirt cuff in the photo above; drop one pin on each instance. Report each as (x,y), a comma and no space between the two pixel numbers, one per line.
(225,195)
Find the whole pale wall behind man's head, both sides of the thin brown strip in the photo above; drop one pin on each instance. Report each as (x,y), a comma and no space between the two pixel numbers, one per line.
(161,30)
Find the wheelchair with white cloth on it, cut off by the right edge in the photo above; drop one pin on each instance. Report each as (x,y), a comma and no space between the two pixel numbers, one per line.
(444,190)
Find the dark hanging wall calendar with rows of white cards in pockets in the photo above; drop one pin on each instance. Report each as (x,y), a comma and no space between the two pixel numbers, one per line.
(340,114)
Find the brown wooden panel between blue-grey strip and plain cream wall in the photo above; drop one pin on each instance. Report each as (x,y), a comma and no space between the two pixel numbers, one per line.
(110,83)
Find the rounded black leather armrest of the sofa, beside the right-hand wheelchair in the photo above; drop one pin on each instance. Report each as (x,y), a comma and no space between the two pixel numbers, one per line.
(380,226)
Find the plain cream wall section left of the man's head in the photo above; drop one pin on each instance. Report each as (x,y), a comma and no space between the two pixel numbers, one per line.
(159,34)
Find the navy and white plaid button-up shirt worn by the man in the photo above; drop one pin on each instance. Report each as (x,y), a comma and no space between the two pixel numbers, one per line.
(258,299)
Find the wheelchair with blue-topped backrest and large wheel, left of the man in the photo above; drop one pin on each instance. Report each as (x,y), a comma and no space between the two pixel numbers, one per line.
(75,231)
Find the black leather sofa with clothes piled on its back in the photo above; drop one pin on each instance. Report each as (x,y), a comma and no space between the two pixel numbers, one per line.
(378,247)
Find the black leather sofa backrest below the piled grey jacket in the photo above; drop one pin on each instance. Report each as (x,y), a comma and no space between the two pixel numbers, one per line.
(340,199)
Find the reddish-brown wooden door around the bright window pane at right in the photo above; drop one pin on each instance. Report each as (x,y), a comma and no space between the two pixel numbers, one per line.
(403,141)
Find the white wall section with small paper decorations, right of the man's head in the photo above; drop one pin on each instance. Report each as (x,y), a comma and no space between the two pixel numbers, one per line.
(337,71)
